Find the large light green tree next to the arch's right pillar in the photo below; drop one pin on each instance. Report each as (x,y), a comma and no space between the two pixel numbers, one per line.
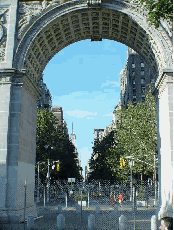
(136,133)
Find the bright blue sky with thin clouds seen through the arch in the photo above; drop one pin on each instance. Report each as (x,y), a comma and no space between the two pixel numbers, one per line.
(84,79)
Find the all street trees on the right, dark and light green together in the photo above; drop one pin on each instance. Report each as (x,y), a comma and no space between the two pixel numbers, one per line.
(135,136)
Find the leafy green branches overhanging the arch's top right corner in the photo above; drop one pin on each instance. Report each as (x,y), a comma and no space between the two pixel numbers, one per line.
(158,9)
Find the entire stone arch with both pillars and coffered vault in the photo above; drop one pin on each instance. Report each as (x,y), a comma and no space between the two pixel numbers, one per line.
(31,33)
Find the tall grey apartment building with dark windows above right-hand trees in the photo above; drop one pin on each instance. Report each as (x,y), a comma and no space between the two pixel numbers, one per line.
(134,78)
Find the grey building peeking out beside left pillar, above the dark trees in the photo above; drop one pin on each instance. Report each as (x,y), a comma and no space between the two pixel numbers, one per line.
(45,101)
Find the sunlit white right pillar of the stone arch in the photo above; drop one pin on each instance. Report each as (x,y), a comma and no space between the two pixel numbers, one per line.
(164,90)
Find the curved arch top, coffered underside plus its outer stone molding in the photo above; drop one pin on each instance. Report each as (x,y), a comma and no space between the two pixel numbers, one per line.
(65,24)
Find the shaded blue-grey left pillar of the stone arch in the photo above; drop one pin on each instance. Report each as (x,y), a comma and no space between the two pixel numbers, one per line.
(18,112)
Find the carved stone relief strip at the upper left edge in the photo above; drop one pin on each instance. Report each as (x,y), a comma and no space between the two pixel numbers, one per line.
(4,15)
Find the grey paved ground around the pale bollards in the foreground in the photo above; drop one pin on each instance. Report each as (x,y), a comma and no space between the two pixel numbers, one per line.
(105,220)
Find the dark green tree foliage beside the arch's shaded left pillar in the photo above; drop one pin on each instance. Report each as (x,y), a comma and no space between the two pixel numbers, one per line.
(52,142)
